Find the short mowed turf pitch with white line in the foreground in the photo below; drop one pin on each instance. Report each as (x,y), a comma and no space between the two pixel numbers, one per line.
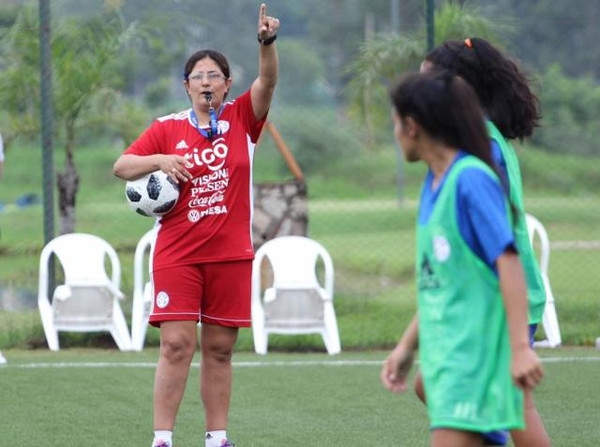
(99,397)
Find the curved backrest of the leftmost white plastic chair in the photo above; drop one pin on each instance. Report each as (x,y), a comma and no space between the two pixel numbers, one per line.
(83,258)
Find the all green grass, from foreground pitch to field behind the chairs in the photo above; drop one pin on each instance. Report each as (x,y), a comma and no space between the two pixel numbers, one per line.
(297,395)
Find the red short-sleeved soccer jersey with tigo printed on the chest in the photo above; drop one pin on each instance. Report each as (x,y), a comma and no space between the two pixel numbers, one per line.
(212,219)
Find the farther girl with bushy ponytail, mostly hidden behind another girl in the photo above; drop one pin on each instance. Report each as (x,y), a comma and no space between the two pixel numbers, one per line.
(513,112)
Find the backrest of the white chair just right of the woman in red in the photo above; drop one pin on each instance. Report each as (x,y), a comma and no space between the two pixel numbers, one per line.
(294,262)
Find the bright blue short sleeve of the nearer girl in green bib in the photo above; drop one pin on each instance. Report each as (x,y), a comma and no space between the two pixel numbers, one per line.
(482,215)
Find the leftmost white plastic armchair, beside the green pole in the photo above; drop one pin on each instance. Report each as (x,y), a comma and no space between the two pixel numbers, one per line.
(88,301)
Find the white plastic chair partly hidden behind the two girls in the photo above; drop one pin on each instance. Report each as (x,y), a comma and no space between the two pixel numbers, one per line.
(549,318)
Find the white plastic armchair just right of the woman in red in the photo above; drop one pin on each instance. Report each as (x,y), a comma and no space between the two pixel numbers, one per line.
(296,303)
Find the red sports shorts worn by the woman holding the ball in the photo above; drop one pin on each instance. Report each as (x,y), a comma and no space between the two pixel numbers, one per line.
(213,293)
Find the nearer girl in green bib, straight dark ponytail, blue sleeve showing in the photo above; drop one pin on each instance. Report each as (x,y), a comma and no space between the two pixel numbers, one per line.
(472,299)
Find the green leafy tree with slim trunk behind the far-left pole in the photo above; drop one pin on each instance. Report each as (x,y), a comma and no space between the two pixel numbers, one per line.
(85,84)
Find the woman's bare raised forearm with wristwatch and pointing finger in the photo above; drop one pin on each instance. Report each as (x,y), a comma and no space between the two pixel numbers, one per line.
(268,67)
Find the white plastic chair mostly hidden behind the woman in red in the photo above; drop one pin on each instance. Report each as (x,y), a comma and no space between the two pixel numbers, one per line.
(142,289)
